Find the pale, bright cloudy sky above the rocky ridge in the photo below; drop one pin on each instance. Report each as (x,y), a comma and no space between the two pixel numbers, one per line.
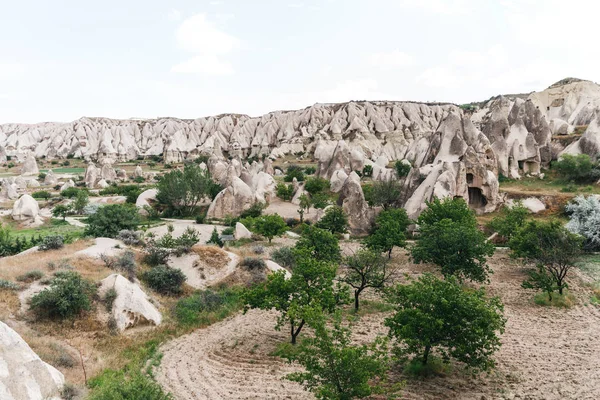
(64,59)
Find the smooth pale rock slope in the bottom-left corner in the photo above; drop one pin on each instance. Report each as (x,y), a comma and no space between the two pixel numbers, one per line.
(23,374)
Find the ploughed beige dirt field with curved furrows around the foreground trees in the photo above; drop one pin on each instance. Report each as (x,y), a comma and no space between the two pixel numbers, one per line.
(546,353)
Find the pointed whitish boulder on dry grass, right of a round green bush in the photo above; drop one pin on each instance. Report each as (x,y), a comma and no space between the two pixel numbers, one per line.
(132,306)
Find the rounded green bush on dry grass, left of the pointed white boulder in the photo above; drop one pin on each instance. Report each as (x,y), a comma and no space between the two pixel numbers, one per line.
(68,296)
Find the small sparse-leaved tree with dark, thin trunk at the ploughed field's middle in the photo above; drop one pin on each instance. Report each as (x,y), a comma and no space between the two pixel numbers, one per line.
(366,269)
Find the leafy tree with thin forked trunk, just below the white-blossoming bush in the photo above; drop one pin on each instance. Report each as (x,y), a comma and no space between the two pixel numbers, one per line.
(550,245)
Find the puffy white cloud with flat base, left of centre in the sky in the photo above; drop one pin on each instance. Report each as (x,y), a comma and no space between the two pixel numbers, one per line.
(201,37)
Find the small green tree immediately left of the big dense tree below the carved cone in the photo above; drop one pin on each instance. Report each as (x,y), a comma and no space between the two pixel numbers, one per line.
(389,231)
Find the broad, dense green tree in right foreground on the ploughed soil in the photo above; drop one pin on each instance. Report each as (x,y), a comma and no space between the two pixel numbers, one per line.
(433,314)
